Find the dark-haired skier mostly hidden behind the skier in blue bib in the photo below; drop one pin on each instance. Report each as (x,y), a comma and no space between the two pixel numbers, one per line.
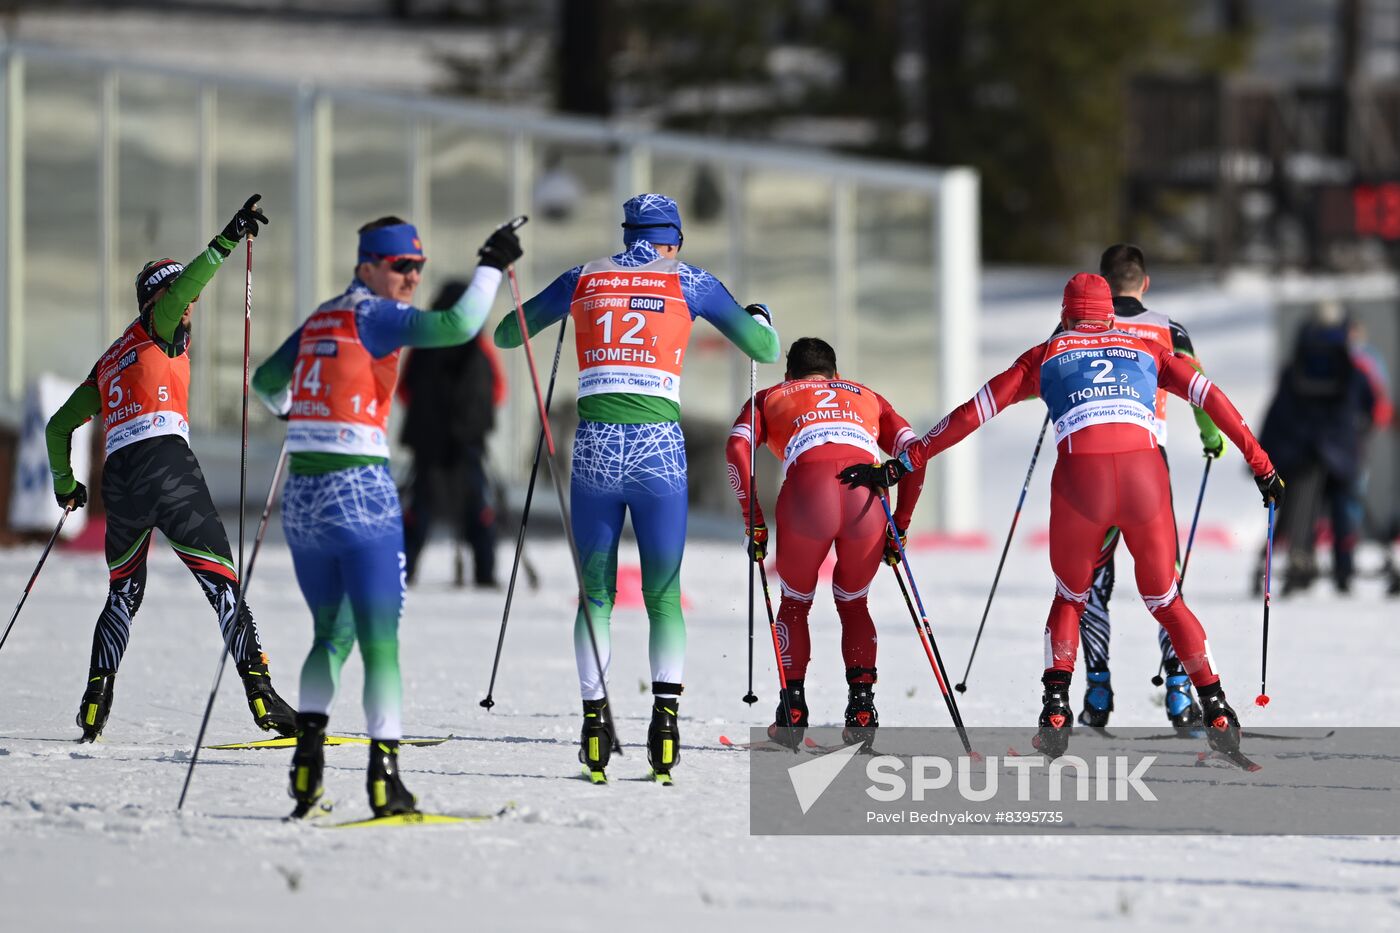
(1125,268)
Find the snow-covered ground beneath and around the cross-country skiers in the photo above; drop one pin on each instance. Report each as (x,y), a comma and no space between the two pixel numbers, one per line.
(89,833)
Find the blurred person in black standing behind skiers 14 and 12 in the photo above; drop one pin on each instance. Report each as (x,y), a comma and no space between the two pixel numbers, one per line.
(451,396)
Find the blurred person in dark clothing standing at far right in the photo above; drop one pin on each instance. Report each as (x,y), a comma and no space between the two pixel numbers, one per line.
(1315,432)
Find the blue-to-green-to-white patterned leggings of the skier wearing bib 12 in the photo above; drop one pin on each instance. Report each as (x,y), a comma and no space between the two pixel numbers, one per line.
(638,469)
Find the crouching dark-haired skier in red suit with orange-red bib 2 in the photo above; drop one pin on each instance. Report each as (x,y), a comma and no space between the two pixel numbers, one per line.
(814,422)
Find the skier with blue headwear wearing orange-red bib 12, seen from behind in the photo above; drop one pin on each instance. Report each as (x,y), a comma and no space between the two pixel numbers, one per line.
(633,313)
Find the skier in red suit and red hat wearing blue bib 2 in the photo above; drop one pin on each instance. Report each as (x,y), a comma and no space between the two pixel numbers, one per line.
(1101,386)
